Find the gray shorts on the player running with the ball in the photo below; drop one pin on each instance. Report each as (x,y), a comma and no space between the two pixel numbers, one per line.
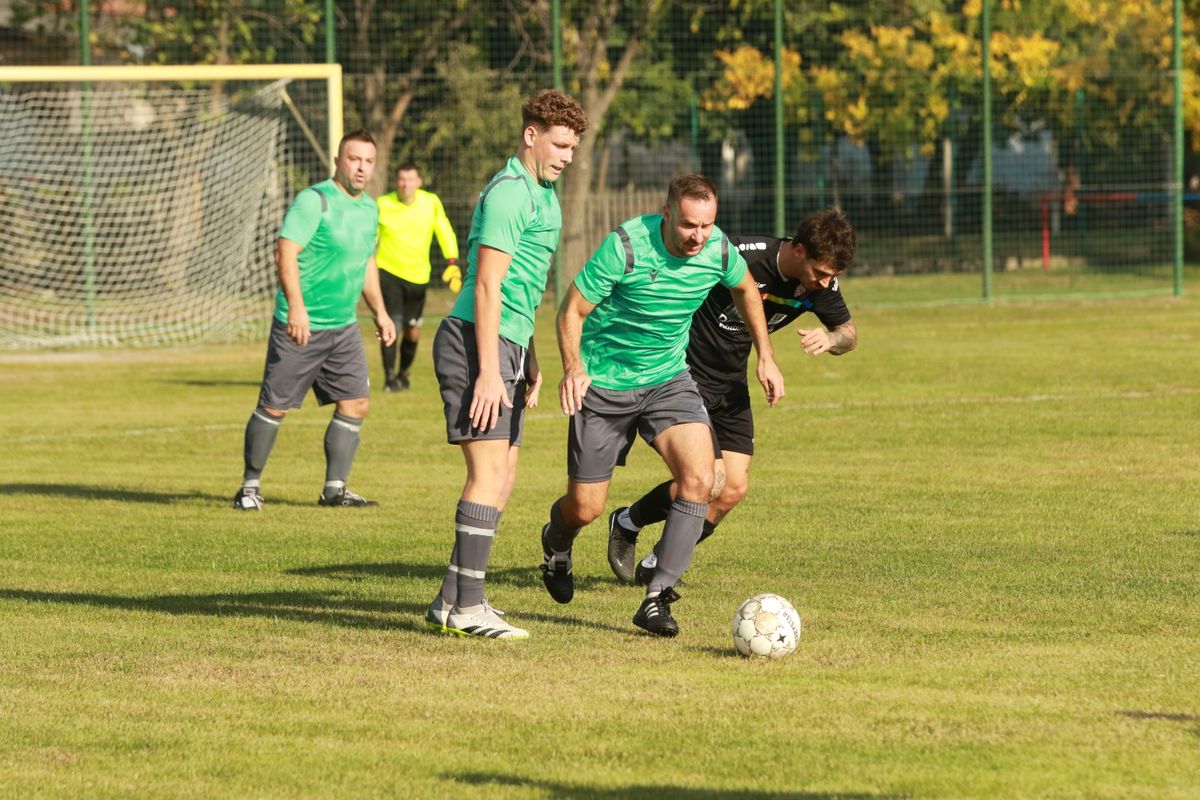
(603,431)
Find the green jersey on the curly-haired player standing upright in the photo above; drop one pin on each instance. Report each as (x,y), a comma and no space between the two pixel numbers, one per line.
(519,216)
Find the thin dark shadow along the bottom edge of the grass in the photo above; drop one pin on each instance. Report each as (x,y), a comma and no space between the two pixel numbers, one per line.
(572,792)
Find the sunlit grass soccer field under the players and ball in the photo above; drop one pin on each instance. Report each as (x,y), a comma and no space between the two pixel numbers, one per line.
(988,516)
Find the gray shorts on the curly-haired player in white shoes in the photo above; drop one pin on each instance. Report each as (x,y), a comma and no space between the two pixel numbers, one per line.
(457,364)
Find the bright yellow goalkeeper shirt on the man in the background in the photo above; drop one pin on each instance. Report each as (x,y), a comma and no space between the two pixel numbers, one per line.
(406,233)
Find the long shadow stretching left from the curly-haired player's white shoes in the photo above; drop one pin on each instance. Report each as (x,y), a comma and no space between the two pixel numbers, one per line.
(297,606)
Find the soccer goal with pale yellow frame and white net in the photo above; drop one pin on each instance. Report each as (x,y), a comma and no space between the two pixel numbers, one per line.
(141,204)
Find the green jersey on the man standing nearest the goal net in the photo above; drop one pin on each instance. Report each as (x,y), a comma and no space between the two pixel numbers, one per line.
(338,234)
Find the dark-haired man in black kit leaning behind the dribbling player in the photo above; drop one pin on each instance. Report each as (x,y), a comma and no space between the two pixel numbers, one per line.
(794,276)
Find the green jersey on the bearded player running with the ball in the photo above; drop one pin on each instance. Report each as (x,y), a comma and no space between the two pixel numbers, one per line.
(645,299)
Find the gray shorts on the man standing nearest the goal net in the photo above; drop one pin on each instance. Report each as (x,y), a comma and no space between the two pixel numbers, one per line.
(333,364)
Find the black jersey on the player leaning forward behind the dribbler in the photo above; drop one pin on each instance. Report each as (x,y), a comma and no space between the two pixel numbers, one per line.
(721,345)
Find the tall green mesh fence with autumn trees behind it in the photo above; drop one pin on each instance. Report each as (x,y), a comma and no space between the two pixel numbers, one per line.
(1058,167)
